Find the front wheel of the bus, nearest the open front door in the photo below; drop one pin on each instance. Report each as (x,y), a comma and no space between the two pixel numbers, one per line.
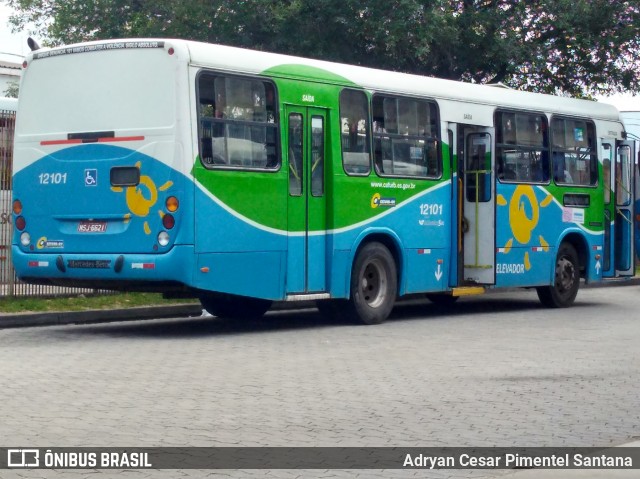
(566,282)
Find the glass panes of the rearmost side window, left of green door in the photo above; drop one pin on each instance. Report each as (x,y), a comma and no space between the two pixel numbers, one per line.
(237,122)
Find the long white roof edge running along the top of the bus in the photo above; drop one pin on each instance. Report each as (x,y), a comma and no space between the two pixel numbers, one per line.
(254,62)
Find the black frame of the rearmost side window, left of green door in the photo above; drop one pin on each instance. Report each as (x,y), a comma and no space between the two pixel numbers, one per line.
(277,124)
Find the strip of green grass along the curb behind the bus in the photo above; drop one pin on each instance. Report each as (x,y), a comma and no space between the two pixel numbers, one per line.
(25,304)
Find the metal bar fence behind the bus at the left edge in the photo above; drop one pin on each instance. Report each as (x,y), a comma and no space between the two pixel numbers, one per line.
(9,284)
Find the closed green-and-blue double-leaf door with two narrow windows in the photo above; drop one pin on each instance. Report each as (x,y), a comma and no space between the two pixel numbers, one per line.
(305,153)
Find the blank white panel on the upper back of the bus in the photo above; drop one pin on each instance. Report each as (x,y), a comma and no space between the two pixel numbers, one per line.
(105,91)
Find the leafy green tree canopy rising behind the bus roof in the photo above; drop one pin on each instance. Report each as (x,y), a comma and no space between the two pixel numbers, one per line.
(576,47)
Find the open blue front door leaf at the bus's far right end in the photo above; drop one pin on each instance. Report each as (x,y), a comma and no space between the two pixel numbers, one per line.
(623,197)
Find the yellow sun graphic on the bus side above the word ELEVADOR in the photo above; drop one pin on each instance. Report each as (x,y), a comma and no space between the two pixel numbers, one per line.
(522,225)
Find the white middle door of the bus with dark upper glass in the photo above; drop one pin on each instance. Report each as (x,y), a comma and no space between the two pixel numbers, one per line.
(478,204)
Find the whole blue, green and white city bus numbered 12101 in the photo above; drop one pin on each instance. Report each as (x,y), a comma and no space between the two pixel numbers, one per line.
(243,177)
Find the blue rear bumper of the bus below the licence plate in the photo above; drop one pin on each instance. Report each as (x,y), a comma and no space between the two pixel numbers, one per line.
(48,268)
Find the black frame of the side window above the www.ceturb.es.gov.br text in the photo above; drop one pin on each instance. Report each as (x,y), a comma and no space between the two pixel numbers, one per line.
(438,139)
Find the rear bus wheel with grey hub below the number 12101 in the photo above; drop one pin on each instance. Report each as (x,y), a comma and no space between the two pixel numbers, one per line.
(374,283)
